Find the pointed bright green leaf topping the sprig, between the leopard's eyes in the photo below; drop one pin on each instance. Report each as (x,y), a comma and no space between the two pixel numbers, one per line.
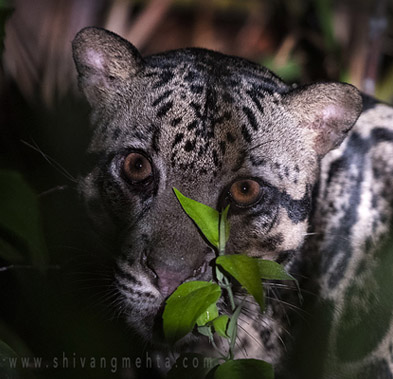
(206,218)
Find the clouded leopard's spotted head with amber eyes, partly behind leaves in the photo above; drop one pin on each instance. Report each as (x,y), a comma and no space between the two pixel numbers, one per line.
(223,131)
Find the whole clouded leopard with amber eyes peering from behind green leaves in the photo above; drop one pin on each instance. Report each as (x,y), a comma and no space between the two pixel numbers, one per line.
(307,171)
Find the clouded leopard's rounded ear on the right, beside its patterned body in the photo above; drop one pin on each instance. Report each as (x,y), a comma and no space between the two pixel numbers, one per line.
(327,110)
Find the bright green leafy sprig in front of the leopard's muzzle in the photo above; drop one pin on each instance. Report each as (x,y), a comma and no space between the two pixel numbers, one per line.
(194,304)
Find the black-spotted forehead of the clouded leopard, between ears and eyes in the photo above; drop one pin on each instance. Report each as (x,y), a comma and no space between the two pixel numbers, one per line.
(206,113)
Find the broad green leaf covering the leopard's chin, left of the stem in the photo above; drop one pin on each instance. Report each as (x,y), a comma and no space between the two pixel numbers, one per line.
(186,305)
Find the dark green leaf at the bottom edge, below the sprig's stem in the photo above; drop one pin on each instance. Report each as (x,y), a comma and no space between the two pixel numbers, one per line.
(244,368)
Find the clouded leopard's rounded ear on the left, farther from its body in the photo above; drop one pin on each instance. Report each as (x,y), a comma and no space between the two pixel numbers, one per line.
(105,63)
